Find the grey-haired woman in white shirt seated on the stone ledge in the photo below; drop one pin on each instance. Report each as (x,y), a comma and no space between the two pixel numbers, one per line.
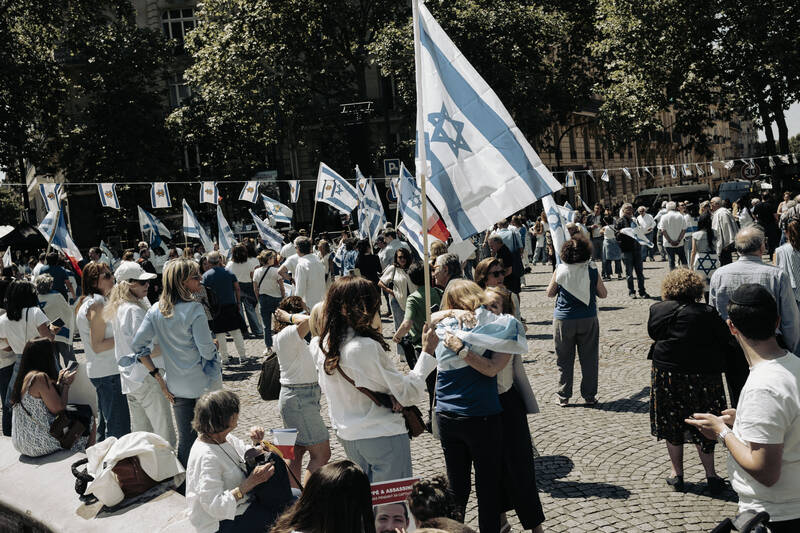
(217,484)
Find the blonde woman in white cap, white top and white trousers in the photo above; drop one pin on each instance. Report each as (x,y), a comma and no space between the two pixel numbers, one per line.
(148,396)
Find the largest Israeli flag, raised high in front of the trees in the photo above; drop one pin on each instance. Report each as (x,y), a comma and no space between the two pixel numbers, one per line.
(481,167)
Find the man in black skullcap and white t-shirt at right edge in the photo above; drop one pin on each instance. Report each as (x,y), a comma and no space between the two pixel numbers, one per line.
(763,433)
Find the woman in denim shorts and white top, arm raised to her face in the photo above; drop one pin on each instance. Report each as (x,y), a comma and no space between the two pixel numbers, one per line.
(300,392)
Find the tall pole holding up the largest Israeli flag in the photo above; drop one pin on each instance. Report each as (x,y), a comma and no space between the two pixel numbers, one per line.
(422,165)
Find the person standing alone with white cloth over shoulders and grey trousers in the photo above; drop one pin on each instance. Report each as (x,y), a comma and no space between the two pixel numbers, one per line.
(576,285)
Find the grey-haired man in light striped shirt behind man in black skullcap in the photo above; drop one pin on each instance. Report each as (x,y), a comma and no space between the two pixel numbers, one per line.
(750,268)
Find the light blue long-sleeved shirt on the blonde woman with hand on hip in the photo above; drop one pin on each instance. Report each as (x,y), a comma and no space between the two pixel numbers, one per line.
(191,362)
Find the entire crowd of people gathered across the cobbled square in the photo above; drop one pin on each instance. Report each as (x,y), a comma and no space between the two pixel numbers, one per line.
(154,328)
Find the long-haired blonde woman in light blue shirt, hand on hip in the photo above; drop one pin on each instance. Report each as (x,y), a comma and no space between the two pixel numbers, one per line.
(178,325)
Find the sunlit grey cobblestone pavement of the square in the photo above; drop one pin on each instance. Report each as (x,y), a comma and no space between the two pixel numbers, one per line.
(600,469)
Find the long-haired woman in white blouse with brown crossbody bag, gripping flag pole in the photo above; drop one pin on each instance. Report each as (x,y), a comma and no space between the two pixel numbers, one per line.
(352,345)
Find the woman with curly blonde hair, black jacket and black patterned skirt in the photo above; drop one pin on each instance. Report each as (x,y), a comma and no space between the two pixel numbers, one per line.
(688,354)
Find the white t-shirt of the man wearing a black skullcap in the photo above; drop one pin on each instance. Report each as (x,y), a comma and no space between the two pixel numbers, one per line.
(768,412)
